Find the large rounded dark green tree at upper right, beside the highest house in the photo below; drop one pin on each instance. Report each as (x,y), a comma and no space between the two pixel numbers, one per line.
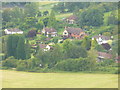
(91,17)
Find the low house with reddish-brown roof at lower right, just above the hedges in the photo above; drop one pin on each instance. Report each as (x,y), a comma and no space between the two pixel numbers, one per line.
(103,55)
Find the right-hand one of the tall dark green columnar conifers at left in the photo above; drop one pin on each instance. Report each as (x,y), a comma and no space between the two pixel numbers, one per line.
(21,48)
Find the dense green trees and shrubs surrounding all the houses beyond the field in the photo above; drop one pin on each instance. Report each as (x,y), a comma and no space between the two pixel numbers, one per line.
(75,55)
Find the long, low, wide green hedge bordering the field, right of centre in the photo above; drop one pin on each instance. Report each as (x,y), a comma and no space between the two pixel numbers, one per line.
(80,64)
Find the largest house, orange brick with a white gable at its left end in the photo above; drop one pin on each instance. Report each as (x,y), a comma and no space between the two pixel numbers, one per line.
(71,32)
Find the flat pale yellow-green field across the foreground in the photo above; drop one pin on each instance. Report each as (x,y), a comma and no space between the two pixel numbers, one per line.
(16,79)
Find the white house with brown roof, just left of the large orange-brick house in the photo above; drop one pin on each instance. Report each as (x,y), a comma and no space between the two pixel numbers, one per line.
(49,32)
